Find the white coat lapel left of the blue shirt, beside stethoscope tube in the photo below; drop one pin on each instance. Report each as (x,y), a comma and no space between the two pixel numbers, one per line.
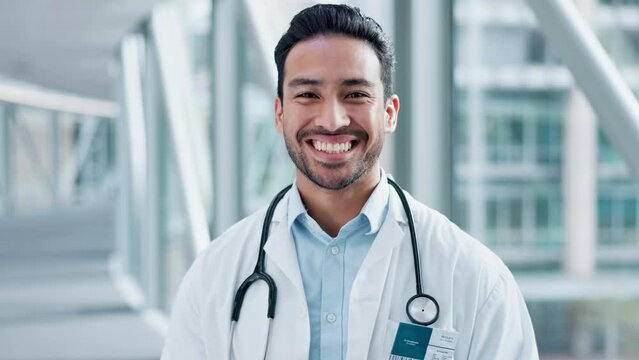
(280,248)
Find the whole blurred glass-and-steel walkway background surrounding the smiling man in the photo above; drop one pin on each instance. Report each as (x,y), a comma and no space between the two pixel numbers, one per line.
(132,133)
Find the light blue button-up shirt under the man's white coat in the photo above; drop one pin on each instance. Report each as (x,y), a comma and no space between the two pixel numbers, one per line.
(329,266)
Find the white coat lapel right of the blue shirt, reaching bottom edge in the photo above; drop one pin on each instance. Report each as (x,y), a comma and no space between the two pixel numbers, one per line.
(371,280)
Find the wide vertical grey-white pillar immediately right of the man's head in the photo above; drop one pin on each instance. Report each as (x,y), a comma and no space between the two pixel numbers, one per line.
(423,147)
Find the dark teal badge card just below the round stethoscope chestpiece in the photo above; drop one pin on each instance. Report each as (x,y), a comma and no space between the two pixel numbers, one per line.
(411,342)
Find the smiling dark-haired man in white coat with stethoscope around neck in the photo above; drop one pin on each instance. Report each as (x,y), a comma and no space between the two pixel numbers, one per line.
(339,246)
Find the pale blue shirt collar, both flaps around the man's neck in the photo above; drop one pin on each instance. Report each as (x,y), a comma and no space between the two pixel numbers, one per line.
(374,209)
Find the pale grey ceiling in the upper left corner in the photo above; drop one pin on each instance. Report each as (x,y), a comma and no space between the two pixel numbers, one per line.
(66,45)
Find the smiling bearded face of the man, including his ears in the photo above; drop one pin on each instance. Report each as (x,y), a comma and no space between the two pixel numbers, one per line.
(333,114)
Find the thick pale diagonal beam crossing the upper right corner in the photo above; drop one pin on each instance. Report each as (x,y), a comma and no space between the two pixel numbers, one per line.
(596,74)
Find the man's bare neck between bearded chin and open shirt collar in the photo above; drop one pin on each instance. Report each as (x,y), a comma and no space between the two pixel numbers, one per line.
(332,209)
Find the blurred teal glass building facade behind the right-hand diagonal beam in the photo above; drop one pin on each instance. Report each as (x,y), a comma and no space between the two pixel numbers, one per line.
(511,104)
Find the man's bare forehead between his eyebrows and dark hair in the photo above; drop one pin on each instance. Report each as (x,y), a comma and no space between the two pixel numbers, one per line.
(332,57)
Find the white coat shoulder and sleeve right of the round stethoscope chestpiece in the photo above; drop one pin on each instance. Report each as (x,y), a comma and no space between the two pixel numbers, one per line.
(478,287)
